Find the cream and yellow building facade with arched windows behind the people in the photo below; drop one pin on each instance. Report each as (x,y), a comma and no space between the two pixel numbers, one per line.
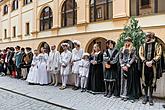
(38,23)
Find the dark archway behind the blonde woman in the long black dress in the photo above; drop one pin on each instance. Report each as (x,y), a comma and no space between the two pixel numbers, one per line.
(101,41)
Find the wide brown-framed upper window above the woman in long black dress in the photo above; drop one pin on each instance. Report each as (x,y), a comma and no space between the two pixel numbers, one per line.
(101,10)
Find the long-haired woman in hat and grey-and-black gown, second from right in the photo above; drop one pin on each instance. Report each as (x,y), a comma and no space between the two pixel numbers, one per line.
(129,78)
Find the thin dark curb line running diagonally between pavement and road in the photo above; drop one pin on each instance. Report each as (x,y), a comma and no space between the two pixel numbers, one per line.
(37,99)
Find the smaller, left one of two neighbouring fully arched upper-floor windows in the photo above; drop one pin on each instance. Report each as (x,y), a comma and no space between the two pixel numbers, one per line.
(46,19)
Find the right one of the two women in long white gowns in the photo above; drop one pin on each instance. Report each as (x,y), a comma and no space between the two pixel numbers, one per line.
(42,67)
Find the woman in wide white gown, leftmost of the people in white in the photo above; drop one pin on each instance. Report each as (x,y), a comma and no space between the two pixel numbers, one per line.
(33,76)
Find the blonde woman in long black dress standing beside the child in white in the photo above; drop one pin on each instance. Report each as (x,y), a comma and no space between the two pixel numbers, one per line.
(96,77)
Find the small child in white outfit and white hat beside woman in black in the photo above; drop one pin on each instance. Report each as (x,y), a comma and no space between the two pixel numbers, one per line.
(84,71)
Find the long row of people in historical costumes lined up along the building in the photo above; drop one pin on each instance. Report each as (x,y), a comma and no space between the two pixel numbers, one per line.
(112,72)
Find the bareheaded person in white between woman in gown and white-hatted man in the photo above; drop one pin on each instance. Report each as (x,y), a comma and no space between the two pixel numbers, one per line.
(54,65)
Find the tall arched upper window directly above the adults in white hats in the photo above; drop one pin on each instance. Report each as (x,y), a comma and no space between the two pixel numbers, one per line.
(69,13)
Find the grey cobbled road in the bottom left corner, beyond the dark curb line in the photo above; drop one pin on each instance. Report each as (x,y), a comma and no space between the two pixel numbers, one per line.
(12,101)
